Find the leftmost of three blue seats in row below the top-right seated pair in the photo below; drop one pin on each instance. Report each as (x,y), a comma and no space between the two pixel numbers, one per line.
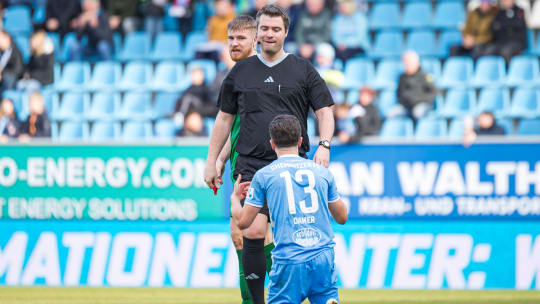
(456,72)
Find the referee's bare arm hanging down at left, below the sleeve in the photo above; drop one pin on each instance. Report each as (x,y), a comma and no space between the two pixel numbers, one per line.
(220,133)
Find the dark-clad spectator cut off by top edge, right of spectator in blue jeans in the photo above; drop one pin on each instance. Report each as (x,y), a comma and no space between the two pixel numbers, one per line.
(123,15)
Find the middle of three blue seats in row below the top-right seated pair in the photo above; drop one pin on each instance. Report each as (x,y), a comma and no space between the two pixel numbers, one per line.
(490,71)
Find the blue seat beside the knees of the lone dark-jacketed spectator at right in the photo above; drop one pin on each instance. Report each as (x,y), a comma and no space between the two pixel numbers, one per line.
(458,103)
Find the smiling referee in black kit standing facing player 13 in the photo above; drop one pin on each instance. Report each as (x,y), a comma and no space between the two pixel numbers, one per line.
(260,88)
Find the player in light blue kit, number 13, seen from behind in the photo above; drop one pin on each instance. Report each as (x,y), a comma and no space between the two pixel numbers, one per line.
(301,196)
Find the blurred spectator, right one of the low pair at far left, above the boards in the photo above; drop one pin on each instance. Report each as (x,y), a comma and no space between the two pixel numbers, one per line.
(37,124)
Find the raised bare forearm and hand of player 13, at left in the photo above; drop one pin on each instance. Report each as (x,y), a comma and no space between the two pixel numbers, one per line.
(243,216)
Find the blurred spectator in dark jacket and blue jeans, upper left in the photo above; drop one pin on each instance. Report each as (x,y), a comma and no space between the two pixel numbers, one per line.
(93,23)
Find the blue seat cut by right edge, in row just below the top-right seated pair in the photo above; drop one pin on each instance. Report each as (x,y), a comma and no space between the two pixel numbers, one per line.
(523,70)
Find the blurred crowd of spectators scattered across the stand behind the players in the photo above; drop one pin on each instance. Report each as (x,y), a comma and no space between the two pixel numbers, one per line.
(328,33)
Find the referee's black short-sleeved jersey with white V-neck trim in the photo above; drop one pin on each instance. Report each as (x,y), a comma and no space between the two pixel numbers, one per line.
(259,91)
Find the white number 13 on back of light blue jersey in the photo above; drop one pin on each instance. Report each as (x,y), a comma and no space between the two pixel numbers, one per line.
(308,189)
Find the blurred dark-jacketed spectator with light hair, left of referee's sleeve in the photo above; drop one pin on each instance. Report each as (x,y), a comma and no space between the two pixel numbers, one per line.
(196,98)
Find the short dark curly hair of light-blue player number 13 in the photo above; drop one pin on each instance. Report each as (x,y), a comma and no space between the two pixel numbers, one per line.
(285,130)
